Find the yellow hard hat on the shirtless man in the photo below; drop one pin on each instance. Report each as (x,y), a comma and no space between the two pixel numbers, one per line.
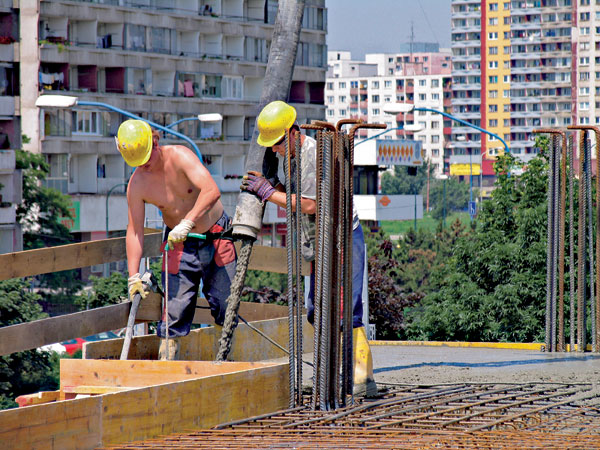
(134,141)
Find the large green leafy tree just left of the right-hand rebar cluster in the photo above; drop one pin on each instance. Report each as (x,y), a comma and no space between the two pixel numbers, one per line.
(493,286)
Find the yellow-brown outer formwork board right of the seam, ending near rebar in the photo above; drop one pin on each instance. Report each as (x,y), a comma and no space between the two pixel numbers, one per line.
(200,403)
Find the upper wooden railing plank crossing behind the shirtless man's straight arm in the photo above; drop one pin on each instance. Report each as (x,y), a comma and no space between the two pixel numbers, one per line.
(71,256)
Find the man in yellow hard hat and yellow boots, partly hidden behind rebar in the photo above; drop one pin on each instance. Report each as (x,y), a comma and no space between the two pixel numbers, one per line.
(273,122)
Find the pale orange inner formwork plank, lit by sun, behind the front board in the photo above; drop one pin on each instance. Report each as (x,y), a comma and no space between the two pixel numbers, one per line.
(129,373)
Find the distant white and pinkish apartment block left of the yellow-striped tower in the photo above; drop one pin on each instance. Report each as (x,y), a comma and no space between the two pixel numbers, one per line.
(363,89)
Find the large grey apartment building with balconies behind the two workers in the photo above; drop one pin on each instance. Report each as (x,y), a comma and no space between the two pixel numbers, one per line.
(161,60)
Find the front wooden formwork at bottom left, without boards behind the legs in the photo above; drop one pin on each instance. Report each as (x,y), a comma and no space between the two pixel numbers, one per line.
(149,398)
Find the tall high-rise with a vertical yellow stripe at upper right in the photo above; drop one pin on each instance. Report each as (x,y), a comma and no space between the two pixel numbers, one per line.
(520,65)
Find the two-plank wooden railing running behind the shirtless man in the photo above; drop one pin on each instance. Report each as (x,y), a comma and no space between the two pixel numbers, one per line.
(42,332)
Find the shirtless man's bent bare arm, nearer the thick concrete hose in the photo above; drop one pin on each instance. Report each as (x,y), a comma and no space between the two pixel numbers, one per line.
(201,178)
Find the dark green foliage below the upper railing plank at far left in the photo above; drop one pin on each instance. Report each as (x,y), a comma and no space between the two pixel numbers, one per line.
(29,371)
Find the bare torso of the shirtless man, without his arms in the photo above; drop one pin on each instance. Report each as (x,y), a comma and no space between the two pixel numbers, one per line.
(168,187)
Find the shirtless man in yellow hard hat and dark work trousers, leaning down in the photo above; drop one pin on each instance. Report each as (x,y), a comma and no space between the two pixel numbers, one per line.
(172,178)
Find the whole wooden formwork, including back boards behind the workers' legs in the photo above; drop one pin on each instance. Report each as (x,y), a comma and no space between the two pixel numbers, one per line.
(106,401)
